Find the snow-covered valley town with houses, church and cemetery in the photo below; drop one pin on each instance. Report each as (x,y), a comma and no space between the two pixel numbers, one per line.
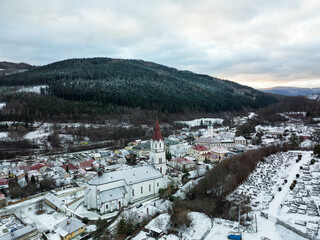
(71,193)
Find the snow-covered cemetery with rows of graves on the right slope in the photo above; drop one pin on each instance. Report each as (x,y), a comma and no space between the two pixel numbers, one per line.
(279,171)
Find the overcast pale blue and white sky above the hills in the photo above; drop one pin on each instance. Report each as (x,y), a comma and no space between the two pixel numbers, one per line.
(257,43)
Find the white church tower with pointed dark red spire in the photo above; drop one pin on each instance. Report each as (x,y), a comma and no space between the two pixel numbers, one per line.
(157,150)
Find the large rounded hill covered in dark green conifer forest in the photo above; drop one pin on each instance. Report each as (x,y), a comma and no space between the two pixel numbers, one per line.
(136,83)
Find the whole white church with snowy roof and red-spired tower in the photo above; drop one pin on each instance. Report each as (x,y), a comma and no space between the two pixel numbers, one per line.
(107,192)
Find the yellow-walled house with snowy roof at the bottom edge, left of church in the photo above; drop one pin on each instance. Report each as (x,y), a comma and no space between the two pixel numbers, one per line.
(69,228)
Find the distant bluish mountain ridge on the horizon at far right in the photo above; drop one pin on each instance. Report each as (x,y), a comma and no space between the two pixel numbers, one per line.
(292,91)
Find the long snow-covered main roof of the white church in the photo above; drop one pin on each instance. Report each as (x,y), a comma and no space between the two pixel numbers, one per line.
(130,175)
